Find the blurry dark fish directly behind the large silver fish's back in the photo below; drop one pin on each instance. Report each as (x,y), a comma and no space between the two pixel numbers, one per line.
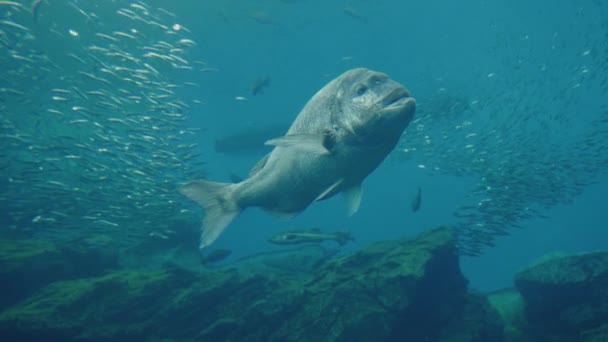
(249,141)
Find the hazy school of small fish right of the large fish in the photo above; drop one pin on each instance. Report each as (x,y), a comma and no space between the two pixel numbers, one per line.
(532,136)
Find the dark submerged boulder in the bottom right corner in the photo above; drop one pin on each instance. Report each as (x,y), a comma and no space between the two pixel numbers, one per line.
(565,295)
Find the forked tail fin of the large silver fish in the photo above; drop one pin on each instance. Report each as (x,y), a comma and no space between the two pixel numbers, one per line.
(218,202)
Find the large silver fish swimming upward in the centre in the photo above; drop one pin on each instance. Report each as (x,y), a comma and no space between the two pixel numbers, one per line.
(343,133)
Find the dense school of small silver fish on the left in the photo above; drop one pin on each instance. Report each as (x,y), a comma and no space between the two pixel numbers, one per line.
(93,137)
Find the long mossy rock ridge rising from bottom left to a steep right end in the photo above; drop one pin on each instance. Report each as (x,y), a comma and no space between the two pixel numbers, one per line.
(409,289)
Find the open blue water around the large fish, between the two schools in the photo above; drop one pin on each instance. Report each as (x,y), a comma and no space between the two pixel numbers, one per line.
(426,46)
